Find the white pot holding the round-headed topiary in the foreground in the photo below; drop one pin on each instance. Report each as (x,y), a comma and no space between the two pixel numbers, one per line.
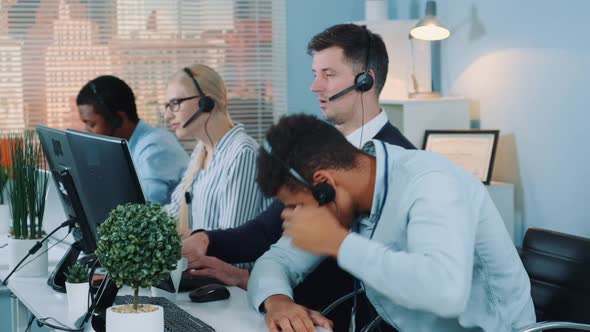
(144,321)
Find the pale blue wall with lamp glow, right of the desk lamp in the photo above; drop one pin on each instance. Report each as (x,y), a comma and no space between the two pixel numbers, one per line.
(526,66)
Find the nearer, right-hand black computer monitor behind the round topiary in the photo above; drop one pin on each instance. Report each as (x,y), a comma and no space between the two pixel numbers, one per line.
(106,174)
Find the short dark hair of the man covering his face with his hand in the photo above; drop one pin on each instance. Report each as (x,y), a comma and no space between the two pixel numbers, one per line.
(306,144)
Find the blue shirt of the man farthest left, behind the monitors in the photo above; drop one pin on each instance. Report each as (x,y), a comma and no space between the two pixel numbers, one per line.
(159,161)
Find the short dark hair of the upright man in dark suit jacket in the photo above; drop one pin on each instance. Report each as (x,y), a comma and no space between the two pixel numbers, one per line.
(353,40)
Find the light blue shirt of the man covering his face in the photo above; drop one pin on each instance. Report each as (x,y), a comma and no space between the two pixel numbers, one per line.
(433,255)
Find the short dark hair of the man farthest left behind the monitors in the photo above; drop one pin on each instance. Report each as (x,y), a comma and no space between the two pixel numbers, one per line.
(110,94)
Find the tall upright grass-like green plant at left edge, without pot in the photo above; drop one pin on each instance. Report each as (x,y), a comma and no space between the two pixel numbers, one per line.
(27,187)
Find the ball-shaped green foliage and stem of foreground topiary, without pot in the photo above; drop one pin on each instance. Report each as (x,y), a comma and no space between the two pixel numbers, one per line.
(138,245)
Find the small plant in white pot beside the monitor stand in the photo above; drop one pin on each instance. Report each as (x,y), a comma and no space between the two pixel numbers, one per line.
(77,289)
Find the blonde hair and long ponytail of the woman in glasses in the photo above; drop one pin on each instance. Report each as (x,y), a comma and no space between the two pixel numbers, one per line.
(213,86)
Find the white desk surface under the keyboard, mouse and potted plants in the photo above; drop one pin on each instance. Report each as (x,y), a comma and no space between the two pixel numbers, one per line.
(33,295)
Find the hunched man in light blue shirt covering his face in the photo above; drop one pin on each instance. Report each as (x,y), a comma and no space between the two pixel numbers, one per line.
(420,234)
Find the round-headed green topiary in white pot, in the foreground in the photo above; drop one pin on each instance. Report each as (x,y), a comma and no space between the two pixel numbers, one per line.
(138,246)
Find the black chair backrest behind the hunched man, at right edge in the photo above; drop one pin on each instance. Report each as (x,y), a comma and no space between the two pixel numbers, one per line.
(559,268)
